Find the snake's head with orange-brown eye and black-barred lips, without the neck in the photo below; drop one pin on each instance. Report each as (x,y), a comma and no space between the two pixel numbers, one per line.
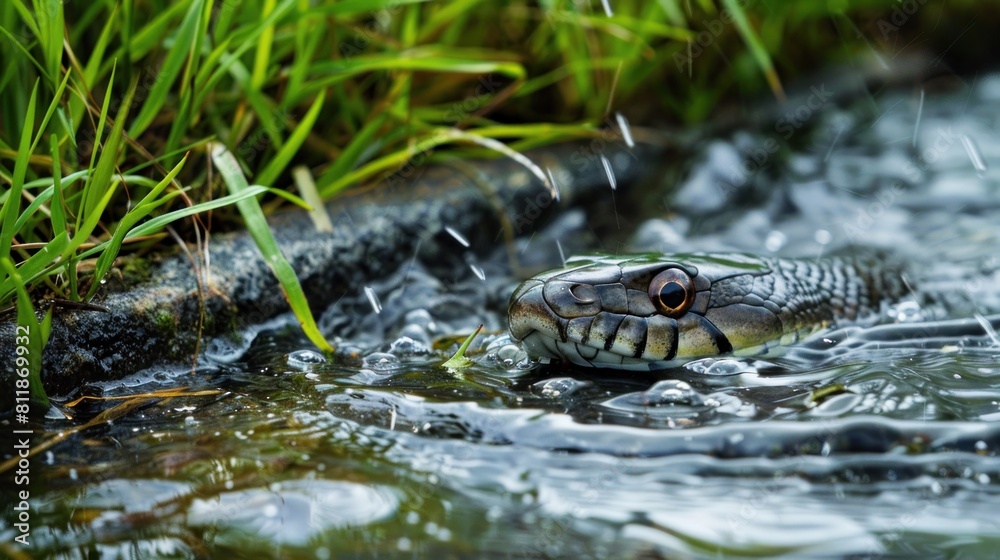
(641,313)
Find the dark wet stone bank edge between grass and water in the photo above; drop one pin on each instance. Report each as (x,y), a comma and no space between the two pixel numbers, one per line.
(373,233)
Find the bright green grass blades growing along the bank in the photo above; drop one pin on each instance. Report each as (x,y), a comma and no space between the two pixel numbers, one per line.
(113,113)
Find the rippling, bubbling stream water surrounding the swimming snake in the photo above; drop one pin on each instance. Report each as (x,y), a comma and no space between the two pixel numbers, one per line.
(872,447)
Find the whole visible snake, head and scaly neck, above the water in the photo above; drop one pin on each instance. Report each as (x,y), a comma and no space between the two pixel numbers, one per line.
(653,311)
